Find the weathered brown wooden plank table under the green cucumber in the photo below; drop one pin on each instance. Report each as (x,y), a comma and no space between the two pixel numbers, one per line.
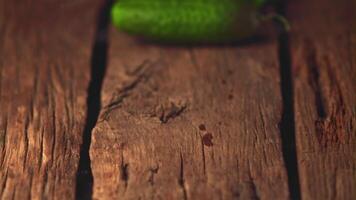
(88,112)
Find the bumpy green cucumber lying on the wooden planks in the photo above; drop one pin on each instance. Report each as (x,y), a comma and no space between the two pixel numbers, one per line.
(188,21)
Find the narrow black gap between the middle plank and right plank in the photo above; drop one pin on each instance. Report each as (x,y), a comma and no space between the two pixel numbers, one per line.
(287,125)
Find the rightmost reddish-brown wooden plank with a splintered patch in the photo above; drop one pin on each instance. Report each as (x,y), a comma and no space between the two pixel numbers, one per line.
(323,60)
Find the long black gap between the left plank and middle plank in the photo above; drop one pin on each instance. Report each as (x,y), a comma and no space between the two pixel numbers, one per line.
(84,182)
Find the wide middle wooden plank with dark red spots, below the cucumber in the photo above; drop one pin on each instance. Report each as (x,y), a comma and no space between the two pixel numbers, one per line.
(189,123)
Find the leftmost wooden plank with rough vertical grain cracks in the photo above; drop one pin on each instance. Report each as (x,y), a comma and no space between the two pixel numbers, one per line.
(44,74)
